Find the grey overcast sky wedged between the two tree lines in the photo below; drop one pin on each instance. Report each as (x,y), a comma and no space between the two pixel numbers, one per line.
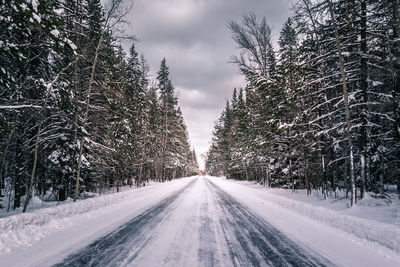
(193,37)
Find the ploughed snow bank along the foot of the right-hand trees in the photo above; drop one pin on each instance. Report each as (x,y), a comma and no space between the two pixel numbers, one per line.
(385,234)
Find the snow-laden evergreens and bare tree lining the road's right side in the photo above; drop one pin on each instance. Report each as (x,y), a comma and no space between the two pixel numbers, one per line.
(321,112)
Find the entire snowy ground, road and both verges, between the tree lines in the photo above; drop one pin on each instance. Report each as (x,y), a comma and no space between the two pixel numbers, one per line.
(197,221)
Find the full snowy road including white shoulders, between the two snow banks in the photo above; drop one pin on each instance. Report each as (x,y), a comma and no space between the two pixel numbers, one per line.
(200,221)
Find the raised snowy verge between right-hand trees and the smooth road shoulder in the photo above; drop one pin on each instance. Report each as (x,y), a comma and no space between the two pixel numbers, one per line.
(376,220)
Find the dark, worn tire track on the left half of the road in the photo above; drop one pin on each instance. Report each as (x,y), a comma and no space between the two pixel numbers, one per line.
(114,248)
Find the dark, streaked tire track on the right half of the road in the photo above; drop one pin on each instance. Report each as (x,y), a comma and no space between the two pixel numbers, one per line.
(254,242)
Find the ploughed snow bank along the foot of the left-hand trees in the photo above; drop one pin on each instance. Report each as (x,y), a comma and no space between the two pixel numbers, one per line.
(25,229)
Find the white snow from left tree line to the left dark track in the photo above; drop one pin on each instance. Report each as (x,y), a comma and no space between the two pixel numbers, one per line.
(54,232)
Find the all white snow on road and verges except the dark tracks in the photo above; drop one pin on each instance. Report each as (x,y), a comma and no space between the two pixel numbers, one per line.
(342,235)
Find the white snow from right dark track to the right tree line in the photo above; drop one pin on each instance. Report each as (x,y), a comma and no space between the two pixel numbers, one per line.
(341,238)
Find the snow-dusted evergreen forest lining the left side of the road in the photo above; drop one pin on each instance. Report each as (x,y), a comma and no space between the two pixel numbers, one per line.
(77,113)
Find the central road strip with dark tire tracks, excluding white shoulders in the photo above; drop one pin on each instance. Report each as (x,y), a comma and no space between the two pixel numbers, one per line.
(198,225)
